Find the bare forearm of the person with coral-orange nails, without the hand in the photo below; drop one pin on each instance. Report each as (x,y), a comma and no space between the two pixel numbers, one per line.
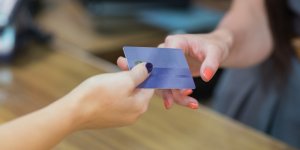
(246,27)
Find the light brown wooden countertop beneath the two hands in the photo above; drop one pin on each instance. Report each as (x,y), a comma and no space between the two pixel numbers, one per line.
(43,75)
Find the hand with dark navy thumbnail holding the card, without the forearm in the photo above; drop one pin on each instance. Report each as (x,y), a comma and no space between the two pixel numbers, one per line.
(111,100)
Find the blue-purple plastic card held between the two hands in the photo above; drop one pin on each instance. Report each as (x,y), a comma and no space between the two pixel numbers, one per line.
(170,68)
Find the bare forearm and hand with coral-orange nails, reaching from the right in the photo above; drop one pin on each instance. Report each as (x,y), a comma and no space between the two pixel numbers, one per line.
(242,39)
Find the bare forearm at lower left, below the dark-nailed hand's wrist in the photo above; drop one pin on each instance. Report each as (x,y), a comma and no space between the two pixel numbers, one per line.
(39,130)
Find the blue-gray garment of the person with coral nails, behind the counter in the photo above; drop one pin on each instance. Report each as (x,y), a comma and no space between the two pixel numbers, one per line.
(242,95)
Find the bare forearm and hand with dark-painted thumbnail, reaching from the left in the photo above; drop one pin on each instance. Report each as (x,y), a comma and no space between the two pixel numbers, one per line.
(102,101)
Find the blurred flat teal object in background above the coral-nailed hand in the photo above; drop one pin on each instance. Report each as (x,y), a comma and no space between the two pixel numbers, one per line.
(195,19)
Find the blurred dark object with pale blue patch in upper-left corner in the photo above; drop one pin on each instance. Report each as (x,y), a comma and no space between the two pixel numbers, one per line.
(18,27)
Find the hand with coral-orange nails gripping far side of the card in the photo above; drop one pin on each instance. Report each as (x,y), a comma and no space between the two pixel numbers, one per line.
(204,53)
